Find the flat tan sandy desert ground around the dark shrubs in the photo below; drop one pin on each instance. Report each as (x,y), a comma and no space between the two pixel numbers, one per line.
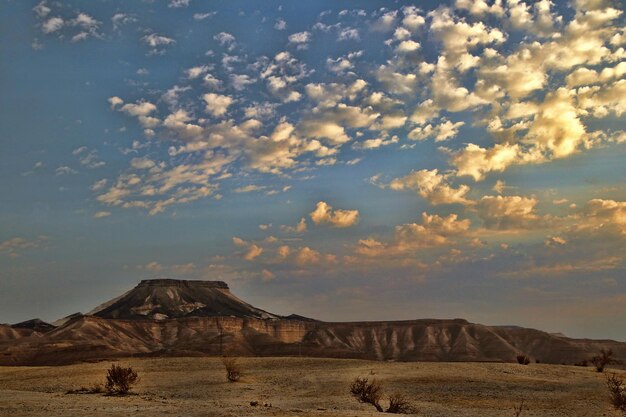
(305,387)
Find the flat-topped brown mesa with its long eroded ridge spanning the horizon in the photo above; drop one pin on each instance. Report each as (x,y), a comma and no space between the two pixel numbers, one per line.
(176,318)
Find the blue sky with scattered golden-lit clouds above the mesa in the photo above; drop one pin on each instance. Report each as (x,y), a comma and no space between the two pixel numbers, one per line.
(389,160)
